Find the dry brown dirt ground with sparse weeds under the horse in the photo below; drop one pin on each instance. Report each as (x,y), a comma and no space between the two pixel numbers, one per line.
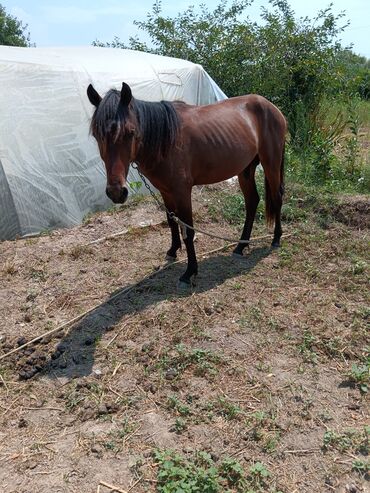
(263,362)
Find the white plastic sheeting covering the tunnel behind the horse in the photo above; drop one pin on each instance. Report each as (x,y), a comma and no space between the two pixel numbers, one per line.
(51,174)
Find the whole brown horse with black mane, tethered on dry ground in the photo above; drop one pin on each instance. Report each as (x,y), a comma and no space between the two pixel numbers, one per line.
(177,146)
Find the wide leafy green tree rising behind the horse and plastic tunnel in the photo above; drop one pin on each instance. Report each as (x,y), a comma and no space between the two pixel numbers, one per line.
(291,61)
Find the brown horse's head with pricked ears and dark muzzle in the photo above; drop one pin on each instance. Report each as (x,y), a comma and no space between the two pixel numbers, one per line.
(114,127)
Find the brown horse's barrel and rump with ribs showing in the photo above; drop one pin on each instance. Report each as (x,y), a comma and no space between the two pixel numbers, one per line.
(221,139)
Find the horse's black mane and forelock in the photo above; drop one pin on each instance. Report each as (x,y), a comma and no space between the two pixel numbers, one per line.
(158,124)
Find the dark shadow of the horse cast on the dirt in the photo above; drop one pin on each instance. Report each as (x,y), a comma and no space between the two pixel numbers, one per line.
(74,354)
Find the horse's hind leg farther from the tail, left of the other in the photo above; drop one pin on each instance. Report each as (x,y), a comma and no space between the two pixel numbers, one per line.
(248,186)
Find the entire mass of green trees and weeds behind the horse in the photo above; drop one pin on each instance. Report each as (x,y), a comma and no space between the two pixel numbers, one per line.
(297,63)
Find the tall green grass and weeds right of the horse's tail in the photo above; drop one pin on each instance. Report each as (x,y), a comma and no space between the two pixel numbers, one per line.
(335,153)
